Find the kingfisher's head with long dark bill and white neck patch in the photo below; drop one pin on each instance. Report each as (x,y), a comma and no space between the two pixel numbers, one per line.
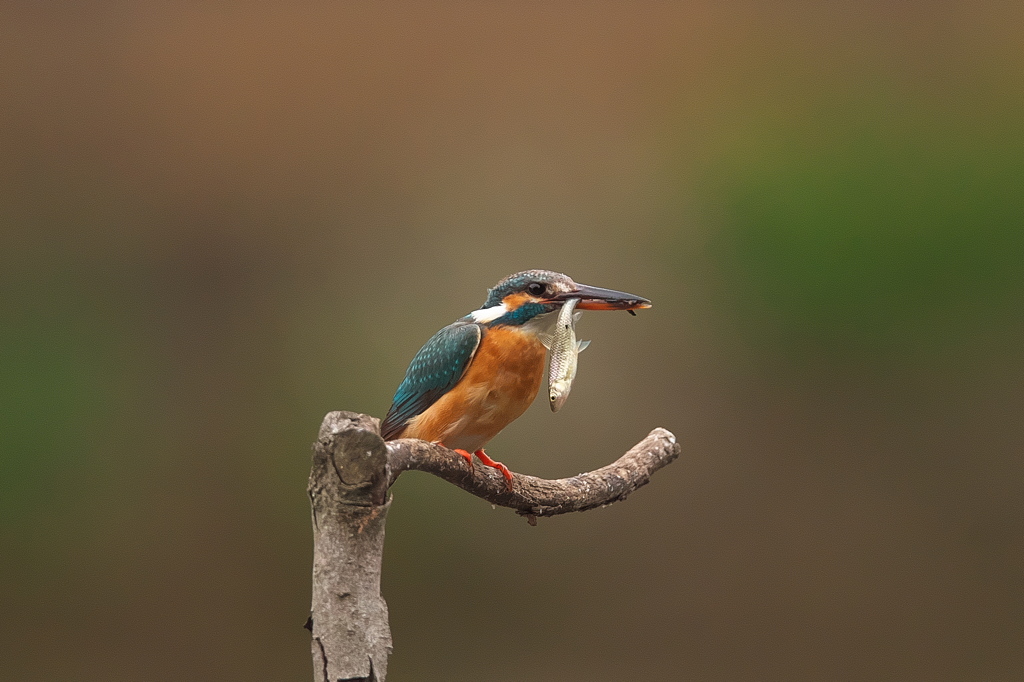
(522,297)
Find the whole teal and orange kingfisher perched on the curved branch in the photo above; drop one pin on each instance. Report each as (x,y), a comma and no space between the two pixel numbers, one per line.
(481,373)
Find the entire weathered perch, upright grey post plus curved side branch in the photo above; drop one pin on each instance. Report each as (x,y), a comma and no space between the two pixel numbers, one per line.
(352,471)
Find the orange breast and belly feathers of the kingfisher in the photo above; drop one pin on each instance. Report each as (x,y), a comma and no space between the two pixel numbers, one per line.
(498,387)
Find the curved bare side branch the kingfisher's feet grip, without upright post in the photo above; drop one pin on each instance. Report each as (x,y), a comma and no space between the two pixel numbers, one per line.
(540,497)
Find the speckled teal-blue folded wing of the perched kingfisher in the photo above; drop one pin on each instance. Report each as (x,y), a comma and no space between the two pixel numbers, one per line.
(434,372)
